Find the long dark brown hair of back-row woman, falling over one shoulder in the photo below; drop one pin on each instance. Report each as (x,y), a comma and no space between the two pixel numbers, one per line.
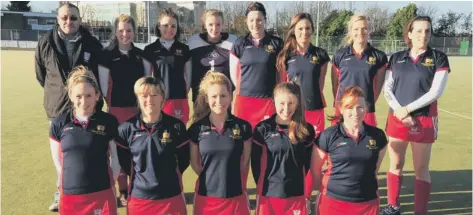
(290,43)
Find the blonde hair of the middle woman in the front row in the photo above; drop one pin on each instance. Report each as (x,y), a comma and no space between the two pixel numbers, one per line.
(201,107)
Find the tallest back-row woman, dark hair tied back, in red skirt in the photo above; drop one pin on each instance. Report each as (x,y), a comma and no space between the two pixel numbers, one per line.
(253,68)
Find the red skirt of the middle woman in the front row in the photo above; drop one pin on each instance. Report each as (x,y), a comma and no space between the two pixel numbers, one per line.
(238,205)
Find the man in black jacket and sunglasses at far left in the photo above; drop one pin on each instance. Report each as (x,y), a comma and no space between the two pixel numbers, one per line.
(67,45)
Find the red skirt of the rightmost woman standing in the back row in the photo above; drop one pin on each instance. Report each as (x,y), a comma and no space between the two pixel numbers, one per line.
(425,130)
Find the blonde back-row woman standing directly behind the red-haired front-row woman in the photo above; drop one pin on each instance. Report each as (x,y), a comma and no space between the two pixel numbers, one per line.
(359,64)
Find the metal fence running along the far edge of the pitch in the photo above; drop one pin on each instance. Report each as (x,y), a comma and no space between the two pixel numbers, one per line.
(449,45)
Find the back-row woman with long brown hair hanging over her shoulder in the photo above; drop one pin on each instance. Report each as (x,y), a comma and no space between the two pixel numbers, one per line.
(301,62)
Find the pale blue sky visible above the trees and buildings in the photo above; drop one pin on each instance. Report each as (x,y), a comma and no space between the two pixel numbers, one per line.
(441,6)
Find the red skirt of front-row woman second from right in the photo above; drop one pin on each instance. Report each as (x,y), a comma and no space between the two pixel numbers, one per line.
(281,206)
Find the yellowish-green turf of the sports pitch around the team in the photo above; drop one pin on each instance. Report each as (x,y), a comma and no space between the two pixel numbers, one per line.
(28,177)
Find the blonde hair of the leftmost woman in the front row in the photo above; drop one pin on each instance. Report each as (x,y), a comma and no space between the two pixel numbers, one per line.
(80,74)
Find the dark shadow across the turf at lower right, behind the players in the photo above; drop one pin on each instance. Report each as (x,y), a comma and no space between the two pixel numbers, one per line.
(451,192)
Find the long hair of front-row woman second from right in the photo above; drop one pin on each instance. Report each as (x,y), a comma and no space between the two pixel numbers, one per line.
(297,127)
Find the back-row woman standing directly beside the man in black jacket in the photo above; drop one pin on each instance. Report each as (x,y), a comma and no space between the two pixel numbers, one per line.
(121,66)
